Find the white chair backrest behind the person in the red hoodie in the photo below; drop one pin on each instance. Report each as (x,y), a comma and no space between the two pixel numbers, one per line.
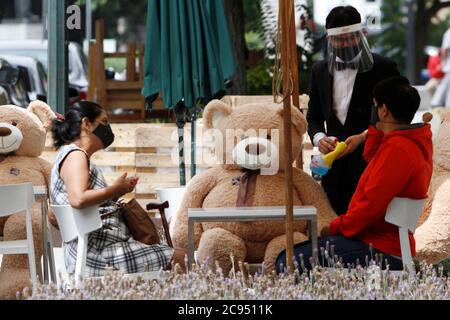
(404,212)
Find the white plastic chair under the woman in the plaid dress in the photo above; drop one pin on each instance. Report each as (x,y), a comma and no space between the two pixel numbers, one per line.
(74,223)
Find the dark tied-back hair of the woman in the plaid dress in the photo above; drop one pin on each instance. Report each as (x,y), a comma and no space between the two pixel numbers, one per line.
(69,129)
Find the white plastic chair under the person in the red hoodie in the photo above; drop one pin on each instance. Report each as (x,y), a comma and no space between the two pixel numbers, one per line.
(404,213)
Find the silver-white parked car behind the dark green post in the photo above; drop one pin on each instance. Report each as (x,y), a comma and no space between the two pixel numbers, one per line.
(38,49)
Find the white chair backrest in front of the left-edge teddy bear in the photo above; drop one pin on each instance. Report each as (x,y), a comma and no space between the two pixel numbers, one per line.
(15,198)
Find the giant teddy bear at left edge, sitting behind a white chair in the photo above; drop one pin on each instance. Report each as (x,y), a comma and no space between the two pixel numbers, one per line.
(22,136)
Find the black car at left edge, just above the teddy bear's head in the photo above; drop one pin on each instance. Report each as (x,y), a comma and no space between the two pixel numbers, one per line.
(13,81)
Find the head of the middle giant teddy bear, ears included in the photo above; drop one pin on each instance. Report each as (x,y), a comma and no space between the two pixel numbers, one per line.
(251,136)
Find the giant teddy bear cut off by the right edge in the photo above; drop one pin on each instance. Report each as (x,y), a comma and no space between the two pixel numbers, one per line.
(433,234)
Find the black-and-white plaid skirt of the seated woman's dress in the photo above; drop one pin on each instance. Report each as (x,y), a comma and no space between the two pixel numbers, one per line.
(113,246)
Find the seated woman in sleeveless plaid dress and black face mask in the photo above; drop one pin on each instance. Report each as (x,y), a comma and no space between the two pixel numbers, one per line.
(77,182)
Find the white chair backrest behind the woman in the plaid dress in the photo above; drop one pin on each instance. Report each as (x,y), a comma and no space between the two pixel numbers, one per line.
(76,222)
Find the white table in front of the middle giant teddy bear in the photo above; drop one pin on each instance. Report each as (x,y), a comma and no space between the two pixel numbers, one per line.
(249,214)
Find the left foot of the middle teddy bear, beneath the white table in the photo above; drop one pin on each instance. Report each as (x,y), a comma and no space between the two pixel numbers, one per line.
(218,244)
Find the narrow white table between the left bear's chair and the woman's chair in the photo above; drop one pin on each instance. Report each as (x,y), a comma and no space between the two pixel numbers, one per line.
(40,193)
